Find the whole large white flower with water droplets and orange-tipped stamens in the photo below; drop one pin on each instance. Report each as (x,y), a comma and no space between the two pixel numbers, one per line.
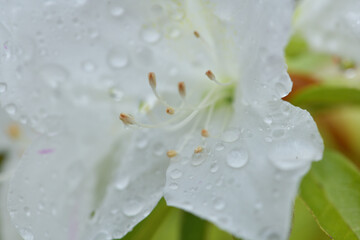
(228,149)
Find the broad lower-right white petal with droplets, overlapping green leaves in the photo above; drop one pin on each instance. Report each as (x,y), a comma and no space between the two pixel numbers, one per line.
(246,182)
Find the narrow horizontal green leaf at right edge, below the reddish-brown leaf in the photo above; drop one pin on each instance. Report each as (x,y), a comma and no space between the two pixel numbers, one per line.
(321,97)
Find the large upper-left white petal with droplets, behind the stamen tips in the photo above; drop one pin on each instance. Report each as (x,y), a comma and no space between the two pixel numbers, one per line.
(60,54)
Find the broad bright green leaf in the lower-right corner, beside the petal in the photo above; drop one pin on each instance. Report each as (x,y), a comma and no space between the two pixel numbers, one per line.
(332,192)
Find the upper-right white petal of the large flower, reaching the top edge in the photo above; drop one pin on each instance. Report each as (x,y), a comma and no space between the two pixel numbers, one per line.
(260,30)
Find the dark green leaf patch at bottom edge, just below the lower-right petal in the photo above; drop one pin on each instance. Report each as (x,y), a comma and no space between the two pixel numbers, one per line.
(193,228)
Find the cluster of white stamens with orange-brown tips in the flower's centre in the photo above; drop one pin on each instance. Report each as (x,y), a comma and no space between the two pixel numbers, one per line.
(220,95)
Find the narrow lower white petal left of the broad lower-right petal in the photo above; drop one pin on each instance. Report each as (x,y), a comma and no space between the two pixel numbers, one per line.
(135,187)
